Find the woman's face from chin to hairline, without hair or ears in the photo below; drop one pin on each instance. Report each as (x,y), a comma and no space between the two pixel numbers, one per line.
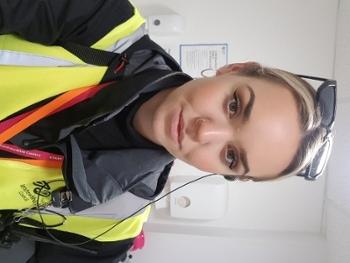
(229,124)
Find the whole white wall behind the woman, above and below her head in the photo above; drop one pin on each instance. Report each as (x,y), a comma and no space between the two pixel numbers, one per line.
(296,35)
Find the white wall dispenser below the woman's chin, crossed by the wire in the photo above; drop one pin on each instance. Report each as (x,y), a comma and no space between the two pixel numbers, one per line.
(204,200)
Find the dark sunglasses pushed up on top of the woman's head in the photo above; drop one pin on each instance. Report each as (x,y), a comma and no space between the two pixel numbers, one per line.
(326,100)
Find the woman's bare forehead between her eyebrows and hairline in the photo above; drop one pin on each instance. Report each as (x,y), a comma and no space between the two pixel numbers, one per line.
(271,136)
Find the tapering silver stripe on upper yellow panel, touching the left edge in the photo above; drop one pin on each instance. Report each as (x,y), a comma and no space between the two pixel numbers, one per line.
(9,57)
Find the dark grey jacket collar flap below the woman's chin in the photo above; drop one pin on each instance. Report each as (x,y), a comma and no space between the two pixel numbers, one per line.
(96,177)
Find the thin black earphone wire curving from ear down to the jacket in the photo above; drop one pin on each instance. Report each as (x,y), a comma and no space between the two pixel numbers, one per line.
(77,245)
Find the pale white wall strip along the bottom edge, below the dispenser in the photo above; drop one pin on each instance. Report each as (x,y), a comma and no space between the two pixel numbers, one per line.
(258,247)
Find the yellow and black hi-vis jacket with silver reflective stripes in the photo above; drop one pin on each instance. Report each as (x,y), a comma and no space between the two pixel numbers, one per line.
(38,68)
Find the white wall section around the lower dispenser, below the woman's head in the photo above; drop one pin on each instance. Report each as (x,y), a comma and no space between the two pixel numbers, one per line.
(287,205)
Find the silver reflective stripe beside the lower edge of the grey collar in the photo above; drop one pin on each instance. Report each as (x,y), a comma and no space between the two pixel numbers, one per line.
(120,207)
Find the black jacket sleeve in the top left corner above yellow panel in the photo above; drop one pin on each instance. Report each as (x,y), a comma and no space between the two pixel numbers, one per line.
(52,21)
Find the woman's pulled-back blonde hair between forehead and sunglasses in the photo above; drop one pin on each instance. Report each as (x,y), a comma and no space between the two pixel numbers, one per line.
(309,112)
